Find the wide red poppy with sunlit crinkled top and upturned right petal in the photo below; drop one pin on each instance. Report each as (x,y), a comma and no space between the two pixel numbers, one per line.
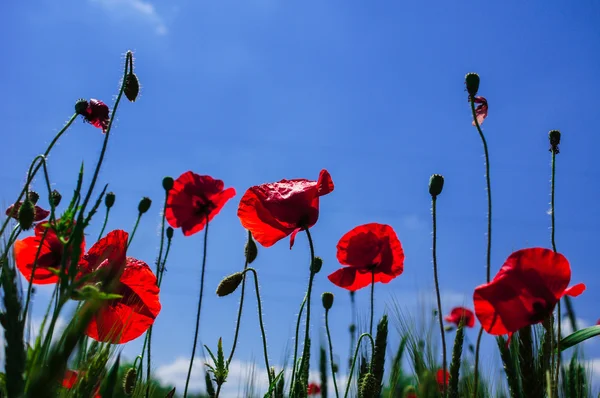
(276,210)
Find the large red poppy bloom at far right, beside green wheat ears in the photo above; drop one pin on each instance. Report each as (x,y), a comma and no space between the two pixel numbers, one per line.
(524,291)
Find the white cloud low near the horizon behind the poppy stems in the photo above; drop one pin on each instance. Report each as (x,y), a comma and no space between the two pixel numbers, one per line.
(240,375)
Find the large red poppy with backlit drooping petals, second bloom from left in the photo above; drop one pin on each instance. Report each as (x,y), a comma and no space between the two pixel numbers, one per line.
(126,318)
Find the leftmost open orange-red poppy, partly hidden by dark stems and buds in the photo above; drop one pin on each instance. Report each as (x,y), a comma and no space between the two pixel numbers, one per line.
(50,255)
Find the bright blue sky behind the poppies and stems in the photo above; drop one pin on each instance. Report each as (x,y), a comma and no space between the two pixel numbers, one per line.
(256,91)
